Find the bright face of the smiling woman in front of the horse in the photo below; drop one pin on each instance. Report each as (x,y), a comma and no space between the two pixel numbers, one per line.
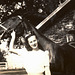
(33,42)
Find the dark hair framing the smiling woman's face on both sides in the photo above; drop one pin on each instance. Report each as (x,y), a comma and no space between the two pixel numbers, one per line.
(27,44)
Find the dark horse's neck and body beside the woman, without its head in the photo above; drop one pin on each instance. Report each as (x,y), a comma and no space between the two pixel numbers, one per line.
(62,57)
